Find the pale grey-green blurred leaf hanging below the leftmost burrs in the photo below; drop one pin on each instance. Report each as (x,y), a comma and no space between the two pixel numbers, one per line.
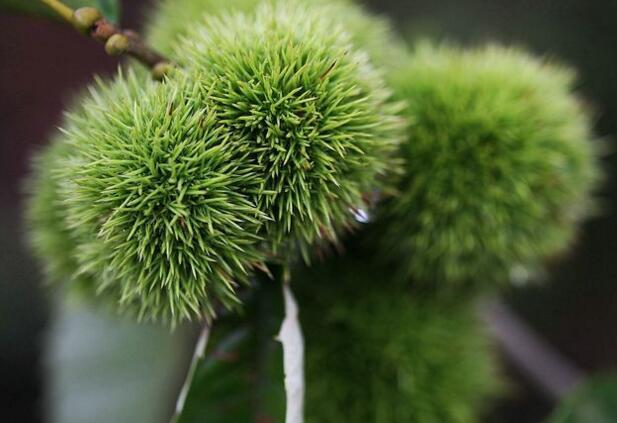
(103,369)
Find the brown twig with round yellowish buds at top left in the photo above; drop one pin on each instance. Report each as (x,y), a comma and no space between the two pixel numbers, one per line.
(90,22)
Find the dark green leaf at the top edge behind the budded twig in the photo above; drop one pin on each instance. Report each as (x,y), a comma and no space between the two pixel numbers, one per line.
(109,8)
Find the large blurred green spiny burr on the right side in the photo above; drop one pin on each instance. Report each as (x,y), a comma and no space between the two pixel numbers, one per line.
(500,164)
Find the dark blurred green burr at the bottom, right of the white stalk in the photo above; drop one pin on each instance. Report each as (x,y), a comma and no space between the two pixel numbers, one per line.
(377,352)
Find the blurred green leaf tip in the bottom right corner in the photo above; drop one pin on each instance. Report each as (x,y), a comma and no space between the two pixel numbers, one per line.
(594,401)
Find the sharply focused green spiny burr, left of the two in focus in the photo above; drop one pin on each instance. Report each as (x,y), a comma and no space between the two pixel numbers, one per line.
(153,196)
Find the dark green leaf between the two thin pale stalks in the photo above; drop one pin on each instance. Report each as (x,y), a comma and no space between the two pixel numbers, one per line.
(241,378)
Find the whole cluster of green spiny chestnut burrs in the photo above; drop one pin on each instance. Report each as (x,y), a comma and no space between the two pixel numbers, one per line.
(276,125)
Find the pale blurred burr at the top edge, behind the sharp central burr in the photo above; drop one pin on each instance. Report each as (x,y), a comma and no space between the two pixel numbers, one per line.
(172,20)
